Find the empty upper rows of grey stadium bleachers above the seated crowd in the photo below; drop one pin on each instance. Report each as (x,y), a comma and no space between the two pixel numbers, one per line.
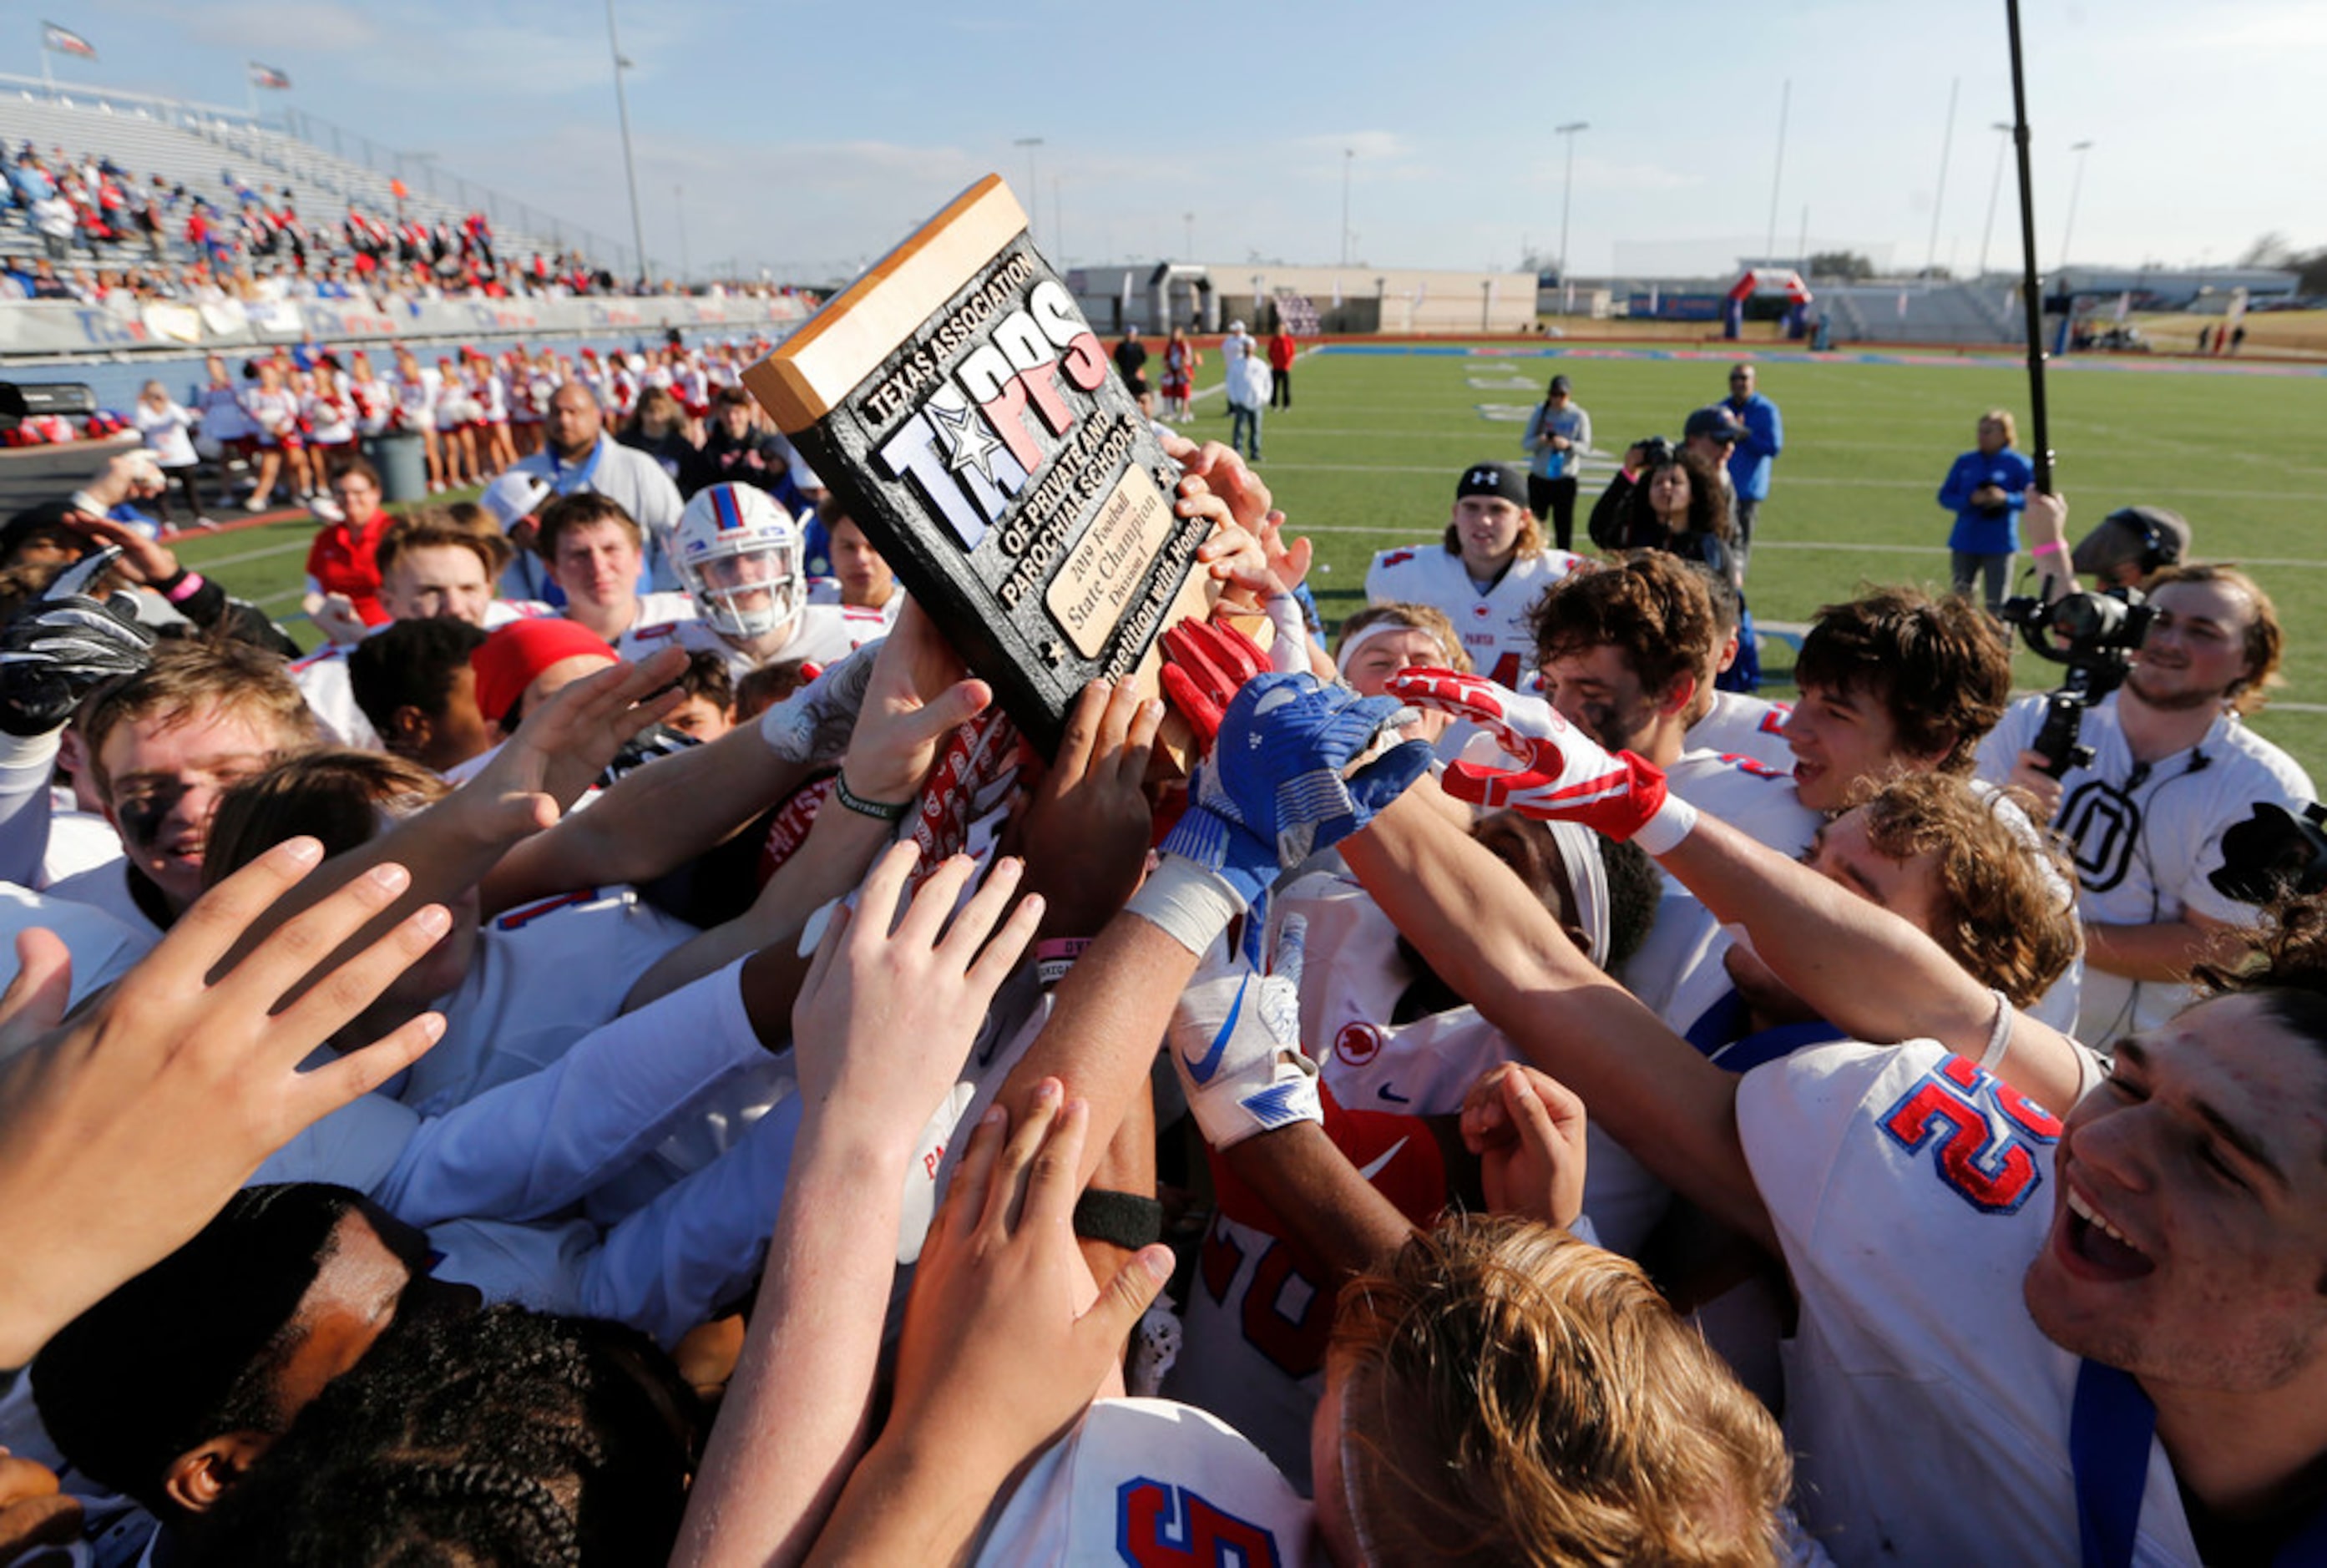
(197,145)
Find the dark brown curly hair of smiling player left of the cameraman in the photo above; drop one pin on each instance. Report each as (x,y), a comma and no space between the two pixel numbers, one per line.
(1937,667)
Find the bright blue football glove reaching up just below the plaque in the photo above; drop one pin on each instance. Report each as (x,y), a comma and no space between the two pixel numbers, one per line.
(1274,790)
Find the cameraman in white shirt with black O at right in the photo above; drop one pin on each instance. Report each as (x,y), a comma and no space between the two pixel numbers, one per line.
(2172,769)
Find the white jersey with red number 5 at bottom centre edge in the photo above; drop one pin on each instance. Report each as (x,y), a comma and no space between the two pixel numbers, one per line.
(1141,1481)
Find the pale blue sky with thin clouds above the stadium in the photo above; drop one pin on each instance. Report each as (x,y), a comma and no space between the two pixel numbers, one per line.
(809,138)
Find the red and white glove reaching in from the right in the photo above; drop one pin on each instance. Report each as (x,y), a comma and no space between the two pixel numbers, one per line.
(1563,776)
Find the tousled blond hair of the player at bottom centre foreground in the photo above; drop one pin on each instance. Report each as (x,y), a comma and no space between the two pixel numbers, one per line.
(1521,1397)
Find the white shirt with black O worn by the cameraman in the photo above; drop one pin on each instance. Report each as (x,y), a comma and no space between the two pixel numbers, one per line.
(2149,836)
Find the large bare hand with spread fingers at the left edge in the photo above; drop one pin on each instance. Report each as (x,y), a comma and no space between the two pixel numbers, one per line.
(134,1125)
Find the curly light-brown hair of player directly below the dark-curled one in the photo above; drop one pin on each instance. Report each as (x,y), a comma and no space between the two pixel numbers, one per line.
(2005,904)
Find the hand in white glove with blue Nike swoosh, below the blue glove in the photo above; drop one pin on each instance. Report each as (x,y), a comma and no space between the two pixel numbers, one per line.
(1237,1046)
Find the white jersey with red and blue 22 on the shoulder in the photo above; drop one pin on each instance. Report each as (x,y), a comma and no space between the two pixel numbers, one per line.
(1928,1411)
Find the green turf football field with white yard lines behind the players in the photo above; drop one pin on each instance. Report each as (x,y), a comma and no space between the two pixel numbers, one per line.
(1372,450)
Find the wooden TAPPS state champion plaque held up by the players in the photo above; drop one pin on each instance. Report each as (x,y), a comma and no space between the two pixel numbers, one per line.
(972,422)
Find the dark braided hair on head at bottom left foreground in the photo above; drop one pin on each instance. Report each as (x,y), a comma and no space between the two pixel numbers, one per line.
(506,1439)
